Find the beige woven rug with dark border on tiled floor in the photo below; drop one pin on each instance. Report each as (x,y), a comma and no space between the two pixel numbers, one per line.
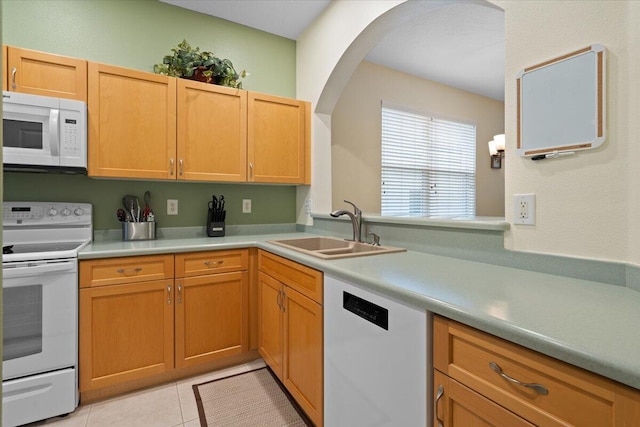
(253,398)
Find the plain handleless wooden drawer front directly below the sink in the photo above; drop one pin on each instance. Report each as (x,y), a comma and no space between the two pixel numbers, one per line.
(303,279)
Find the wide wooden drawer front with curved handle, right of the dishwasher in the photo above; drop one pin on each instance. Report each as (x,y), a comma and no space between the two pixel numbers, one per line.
(575,396)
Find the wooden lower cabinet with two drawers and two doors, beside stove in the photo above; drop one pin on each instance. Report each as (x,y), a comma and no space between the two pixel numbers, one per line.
(137,321)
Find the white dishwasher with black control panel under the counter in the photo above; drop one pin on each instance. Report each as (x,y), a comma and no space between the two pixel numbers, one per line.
(377,355)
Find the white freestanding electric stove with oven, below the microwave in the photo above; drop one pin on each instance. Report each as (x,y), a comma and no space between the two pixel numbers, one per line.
(40,308)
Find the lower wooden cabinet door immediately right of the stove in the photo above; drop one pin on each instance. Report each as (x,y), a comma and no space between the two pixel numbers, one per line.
(126,332)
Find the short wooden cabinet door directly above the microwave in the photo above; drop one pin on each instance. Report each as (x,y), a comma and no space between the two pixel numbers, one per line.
(39,73)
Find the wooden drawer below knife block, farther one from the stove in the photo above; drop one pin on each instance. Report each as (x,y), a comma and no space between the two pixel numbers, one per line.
(211,262)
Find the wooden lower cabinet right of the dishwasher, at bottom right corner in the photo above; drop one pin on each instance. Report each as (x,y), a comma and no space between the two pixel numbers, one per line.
(473,368)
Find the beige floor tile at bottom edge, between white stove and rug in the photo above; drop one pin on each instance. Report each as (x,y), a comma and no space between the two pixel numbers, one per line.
(157,407)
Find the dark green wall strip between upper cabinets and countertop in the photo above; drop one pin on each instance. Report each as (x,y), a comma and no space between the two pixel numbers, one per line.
(270,204)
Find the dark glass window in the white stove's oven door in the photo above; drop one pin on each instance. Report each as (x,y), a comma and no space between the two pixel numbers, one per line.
(22,322)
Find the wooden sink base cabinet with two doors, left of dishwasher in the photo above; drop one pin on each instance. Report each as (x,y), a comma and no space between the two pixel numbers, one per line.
(290,330)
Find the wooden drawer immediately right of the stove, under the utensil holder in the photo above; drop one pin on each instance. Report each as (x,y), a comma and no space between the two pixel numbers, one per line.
(113,271)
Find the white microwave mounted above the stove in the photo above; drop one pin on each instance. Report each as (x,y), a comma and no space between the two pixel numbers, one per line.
(43,133)
